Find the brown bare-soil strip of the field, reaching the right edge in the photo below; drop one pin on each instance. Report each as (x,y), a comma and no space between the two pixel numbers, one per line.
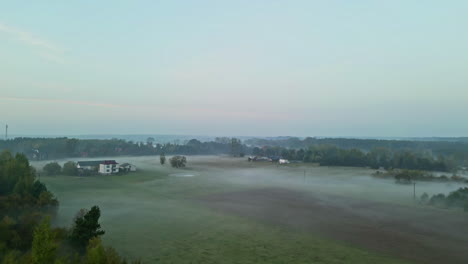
(418,234)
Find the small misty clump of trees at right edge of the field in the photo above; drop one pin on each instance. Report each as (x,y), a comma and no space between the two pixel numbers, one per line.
(455,199)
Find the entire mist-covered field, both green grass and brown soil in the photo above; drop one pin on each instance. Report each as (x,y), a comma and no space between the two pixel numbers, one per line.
(227,210)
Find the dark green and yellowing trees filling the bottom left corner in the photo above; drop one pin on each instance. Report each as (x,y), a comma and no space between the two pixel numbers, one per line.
(26,236)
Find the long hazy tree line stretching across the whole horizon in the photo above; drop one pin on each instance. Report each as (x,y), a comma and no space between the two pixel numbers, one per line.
(346,152)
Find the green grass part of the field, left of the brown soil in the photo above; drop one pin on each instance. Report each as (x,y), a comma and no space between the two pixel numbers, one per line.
(156,217)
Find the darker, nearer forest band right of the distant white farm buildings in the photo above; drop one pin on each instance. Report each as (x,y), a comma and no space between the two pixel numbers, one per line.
(329,155)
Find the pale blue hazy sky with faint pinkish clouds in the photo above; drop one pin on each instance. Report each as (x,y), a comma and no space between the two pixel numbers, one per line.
(253,68)
